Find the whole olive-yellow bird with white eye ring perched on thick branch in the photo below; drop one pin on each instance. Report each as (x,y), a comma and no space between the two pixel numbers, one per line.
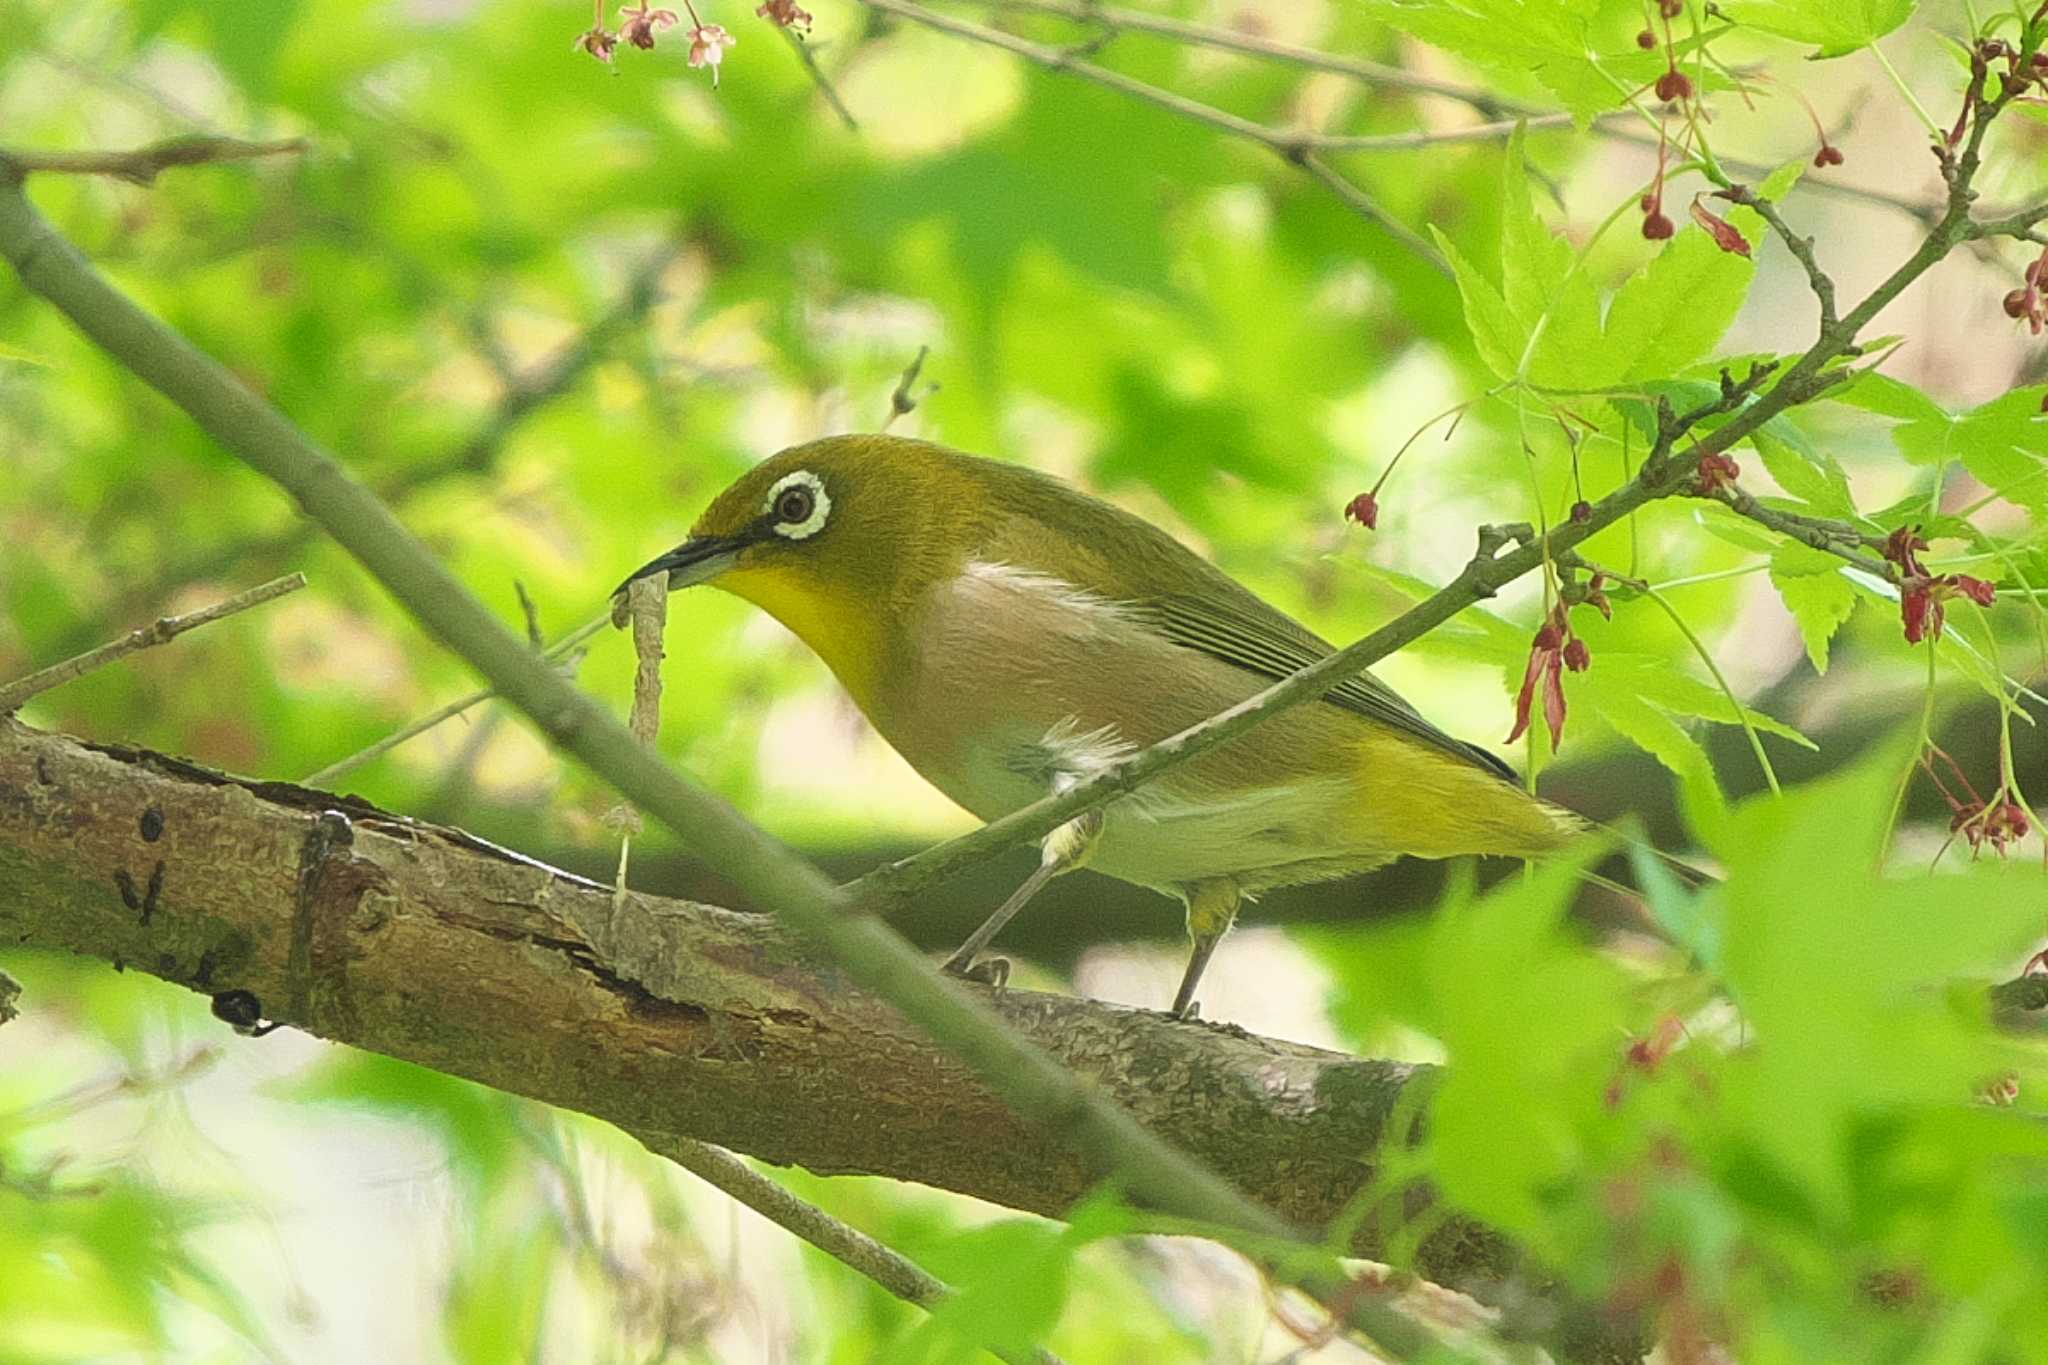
(1011,635)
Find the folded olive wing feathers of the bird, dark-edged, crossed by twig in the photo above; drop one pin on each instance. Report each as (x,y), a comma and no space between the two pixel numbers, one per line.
(1275,646)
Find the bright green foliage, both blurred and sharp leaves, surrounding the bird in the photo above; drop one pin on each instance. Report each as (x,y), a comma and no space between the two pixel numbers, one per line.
(1766,1137)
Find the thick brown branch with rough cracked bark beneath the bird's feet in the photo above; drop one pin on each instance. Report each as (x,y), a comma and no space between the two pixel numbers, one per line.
(660,1016)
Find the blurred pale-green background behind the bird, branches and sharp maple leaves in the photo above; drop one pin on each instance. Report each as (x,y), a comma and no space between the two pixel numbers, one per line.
(550,306)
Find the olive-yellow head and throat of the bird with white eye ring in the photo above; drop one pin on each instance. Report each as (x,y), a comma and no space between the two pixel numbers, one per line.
(833,539)
